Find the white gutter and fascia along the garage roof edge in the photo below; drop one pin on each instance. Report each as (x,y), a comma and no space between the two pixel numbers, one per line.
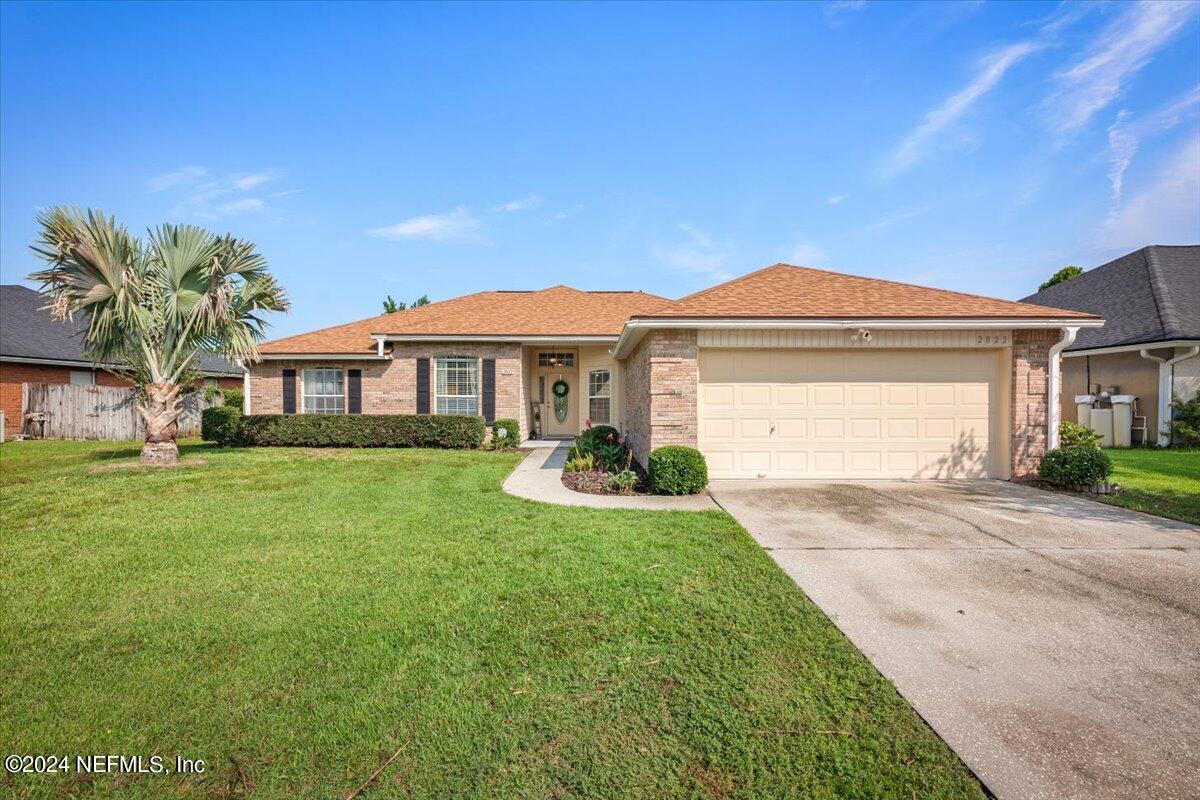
(637,329)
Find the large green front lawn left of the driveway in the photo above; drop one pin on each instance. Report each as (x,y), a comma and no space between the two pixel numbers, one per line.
(298,617)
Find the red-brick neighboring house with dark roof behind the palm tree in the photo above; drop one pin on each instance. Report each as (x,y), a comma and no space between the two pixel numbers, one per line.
(37,350)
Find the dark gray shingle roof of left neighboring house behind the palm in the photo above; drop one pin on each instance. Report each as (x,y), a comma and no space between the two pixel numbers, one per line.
(28,332)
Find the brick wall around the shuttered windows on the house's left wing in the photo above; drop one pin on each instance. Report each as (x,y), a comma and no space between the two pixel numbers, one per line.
(391,387)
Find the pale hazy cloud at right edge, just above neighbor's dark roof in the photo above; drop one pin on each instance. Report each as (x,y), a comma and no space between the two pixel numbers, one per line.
(1167,210)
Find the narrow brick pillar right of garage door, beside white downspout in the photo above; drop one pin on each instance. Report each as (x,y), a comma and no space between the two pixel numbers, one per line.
(1030,402)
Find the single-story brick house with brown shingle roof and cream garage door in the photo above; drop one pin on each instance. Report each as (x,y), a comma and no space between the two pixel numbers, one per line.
(787,372)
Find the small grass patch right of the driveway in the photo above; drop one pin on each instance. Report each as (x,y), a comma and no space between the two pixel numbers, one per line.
(1162,483)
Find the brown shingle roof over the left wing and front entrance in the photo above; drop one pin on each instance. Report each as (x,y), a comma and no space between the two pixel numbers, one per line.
(557,311)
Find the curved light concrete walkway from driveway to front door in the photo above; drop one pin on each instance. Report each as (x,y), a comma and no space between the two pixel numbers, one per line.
(539,478)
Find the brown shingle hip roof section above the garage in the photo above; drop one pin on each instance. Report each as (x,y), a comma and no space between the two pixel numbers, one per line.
(799,292)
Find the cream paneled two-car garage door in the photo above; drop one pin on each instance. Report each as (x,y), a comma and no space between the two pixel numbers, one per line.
(849,414)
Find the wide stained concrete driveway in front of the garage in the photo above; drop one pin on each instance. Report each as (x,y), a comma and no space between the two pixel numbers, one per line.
(1052,641)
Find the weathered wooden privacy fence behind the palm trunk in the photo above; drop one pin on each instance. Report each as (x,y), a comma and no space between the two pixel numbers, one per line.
(67,412)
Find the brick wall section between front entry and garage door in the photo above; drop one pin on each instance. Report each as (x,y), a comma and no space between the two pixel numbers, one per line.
(662,381)
